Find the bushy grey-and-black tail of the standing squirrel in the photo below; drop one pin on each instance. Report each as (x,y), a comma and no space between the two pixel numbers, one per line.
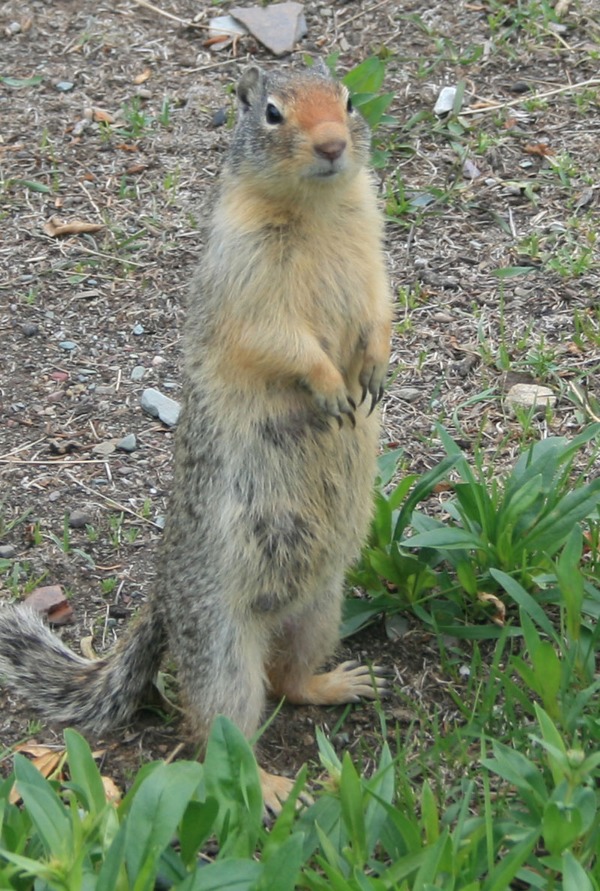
(68,689)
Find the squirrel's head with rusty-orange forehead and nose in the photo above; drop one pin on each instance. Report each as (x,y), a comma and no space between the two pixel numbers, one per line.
(296,129)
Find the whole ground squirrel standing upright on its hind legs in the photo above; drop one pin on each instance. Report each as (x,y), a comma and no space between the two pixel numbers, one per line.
(286,349)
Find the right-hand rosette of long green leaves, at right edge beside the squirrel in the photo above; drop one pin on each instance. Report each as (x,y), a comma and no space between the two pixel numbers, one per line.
(516,524)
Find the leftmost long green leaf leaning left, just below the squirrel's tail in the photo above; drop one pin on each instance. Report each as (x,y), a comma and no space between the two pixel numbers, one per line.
(45,808)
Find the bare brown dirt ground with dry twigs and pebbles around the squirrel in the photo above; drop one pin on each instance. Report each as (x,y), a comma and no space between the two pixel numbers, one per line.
(123,130)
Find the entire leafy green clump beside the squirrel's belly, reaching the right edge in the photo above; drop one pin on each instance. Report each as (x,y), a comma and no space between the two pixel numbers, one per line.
(515,524)
